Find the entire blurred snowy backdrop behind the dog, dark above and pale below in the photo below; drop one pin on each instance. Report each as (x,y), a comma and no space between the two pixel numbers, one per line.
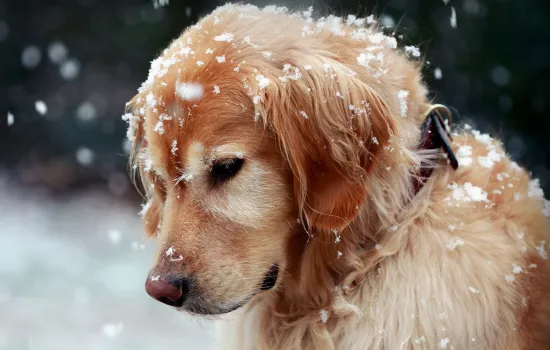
(73,259)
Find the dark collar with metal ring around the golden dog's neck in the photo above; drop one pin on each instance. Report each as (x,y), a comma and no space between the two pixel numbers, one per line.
(435,135)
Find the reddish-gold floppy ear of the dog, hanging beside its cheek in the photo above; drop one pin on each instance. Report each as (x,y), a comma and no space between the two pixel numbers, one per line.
(332,127)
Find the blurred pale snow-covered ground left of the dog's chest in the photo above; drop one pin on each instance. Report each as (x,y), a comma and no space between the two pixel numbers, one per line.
(69,280)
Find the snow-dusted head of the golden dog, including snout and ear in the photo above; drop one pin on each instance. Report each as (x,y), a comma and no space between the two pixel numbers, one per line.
(254,131)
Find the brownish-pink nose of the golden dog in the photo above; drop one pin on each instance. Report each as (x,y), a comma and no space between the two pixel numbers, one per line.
(167,289)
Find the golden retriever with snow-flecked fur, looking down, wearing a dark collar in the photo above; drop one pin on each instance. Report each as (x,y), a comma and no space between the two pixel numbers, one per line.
(298,177)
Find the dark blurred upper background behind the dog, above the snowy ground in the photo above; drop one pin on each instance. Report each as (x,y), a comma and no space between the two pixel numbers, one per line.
(495,66)
